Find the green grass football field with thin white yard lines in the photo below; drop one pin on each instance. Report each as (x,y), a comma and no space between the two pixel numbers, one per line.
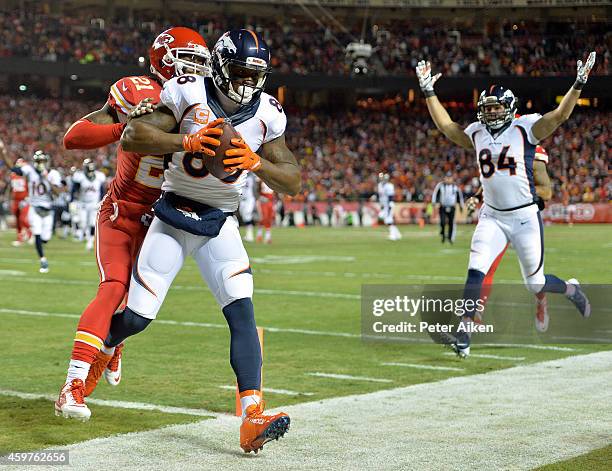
(307,299)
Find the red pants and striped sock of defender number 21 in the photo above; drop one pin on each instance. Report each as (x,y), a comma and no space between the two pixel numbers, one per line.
(118,239)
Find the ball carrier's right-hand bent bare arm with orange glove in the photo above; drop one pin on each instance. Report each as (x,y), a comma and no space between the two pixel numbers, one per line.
(277,166)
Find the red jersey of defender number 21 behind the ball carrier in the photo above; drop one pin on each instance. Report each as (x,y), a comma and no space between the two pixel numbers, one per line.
(139,177)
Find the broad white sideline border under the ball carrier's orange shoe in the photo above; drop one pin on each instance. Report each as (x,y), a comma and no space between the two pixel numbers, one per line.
(520,412)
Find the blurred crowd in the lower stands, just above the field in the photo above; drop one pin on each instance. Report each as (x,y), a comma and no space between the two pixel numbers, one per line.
(342,152)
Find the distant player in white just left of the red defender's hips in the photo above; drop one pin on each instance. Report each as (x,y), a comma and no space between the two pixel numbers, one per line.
(88,188)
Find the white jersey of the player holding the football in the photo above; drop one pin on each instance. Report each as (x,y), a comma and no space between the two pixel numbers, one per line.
(190,100)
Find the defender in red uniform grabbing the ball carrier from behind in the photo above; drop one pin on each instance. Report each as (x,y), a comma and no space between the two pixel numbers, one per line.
(125,211)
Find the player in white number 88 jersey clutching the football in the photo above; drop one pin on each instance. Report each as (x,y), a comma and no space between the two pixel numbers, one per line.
(195,216)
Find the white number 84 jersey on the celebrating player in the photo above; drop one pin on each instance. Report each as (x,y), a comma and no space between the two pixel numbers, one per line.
(506,162)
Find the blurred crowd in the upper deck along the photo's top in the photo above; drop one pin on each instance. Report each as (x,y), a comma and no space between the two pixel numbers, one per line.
(301,46)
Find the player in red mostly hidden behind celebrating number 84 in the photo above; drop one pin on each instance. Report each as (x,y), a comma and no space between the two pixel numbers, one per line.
(543,189)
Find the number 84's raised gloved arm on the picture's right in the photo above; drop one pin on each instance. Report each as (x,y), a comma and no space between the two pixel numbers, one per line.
(548,123)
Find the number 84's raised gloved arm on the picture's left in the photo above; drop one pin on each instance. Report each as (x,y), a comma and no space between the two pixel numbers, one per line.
(438,113)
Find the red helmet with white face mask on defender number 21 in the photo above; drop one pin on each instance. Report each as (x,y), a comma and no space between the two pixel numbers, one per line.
(174,53)
